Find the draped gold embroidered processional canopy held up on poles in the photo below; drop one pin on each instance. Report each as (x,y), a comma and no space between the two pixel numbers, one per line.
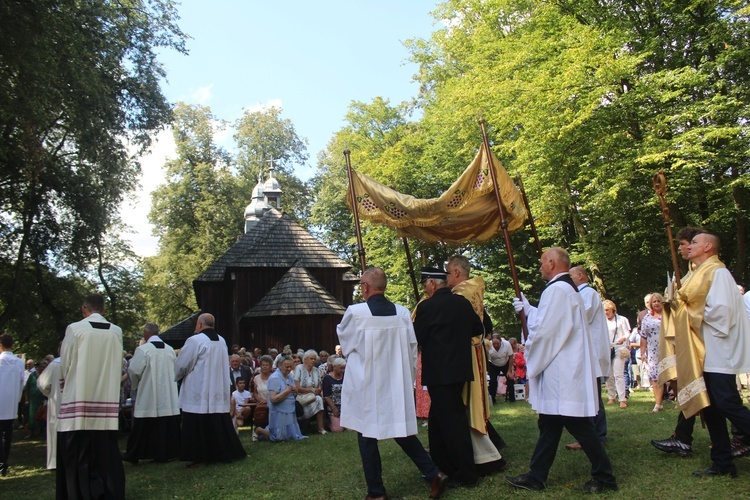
(466,212)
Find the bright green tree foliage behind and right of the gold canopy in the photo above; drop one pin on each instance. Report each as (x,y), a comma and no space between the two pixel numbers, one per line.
(586,101)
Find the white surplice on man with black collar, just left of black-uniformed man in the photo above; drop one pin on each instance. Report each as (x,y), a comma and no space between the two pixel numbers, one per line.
(374,405)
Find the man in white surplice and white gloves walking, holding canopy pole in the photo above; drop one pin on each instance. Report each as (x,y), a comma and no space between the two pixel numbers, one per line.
(559,338)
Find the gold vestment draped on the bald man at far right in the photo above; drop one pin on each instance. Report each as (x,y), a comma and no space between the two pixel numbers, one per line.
(690,349)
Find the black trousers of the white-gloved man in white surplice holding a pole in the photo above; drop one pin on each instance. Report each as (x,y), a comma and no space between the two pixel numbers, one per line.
(582,428)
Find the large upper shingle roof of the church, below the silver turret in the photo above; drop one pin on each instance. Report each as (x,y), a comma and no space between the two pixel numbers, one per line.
(275,241)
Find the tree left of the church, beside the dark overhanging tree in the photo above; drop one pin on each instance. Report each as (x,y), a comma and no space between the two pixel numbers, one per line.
(197,214)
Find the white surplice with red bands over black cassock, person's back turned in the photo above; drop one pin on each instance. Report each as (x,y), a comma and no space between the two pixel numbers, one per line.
(88,456)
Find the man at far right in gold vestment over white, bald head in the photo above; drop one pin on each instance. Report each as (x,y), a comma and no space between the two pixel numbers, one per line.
(724,329)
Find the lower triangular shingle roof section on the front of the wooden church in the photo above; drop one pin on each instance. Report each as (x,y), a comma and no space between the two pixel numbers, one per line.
(296,293)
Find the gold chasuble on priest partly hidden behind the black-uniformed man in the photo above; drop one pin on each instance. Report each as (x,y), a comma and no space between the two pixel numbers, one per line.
(475,392)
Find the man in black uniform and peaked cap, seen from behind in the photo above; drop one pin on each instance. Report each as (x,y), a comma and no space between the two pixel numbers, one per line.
(444,325)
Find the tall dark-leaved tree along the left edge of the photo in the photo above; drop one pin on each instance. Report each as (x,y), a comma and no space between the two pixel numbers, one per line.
(76,80)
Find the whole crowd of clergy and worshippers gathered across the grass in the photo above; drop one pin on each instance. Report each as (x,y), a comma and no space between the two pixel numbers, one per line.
(447,368)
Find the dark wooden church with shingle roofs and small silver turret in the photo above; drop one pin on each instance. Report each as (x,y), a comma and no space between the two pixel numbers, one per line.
(276,285)
